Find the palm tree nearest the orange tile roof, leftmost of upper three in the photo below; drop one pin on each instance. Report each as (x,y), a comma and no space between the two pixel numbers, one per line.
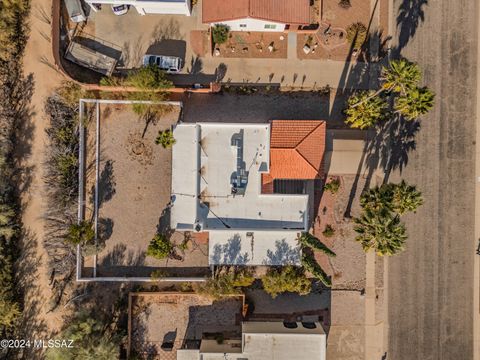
(365,110)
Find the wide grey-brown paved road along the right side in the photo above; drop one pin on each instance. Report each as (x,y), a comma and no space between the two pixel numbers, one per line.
(430,285)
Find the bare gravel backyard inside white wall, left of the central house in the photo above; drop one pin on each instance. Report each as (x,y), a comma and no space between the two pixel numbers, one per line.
(133,194)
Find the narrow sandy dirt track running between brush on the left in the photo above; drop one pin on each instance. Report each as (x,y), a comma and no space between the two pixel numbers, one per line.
(38,321)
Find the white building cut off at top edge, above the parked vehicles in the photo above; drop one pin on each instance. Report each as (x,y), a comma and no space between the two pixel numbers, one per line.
(145,7)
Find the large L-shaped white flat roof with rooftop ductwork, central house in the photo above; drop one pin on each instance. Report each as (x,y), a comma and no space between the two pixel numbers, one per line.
(204,162)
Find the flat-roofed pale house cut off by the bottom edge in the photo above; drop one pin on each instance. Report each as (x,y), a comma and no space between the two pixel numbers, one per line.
(265,340)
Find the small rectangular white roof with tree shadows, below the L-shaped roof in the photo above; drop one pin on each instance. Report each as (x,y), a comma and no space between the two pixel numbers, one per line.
(253,248)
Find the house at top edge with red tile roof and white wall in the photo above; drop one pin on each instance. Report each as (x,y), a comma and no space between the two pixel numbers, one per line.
(257,15)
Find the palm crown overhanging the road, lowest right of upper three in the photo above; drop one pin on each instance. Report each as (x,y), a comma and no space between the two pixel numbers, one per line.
(415,102)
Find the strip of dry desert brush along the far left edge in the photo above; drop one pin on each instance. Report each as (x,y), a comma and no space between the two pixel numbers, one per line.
(15,92)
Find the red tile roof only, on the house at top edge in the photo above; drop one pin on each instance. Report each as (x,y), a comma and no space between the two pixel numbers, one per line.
(283,11)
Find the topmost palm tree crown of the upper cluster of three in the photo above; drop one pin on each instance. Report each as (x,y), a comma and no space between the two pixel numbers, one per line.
(400,76)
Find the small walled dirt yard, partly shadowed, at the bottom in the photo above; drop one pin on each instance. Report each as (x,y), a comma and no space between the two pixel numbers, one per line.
(176,318)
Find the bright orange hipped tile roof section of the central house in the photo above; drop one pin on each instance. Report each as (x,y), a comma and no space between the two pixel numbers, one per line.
(297,148)
